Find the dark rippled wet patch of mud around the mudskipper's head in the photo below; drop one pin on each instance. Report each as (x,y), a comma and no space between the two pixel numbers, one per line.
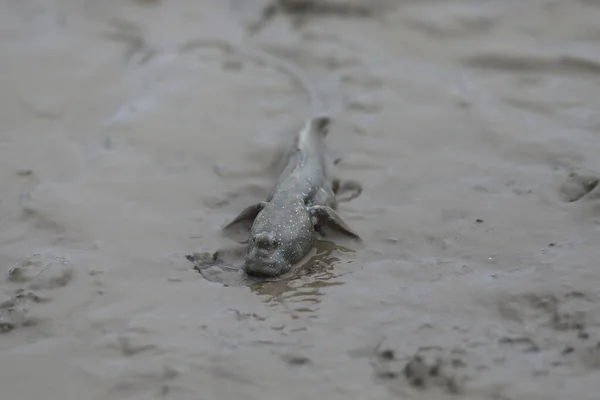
(301,285)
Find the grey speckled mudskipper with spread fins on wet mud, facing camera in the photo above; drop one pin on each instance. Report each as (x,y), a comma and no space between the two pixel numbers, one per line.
(283,228)
